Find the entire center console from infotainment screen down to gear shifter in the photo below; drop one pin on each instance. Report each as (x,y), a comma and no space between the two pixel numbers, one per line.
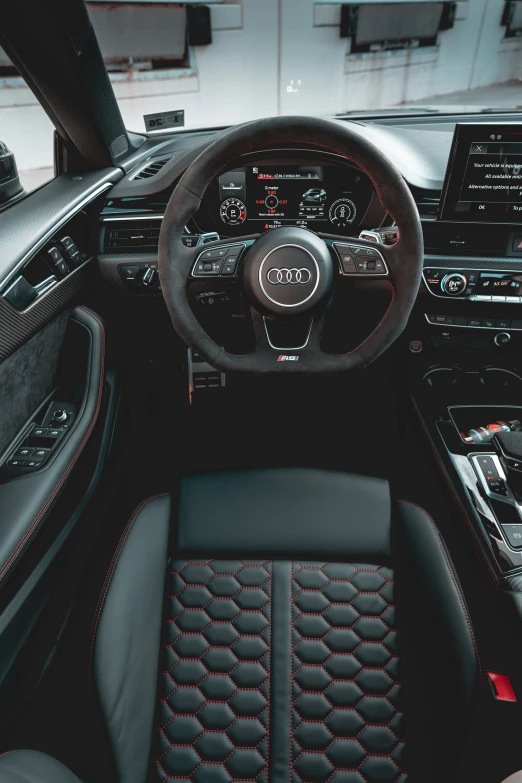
(466,385)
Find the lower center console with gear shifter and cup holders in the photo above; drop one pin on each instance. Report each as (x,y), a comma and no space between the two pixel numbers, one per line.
(472,415)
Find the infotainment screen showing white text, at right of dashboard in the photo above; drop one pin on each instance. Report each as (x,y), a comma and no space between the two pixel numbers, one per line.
(484,176)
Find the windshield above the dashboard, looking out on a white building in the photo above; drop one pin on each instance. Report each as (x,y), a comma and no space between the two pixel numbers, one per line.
(222,63)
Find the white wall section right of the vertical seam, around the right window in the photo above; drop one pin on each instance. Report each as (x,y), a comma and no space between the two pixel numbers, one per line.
(333,80)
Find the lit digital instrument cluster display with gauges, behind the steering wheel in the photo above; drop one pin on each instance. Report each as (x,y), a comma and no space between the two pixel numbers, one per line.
(324,198)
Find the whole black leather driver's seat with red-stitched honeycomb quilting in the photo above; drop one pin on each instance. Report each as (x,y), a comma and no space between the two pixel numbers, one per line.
(304,626)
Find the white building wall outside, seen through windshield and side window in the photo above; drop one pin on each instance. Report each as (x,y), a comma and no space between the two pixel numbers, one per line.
(285,56)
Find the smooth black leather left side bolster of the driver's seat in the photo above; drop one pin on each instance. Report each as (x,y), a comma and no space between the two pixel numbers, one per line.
(127,633)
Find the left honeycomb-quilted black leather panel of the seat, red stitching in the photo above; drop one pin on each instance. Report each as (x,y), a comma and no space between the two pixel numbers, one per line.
(215,685)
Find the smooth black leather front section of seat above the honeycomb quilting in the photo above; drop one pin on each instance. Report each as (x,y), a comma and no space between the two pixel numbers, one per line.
(289,511)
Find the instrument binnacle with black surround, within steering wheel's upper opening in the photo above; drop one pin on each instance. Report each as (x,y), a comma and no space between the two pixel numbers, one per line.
(288,189)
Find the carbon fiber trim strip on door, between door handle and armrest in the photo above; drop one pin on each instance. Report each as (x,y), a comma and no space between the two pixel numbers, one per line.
(16,327)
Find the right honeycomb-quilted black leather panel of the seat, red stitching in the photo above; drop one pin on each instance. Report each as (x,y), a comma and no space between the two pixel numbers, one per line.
(346,706)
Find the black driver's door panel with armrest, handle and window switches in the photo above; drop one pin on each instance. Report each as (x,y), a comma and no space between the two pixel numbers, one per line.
(50,350)
